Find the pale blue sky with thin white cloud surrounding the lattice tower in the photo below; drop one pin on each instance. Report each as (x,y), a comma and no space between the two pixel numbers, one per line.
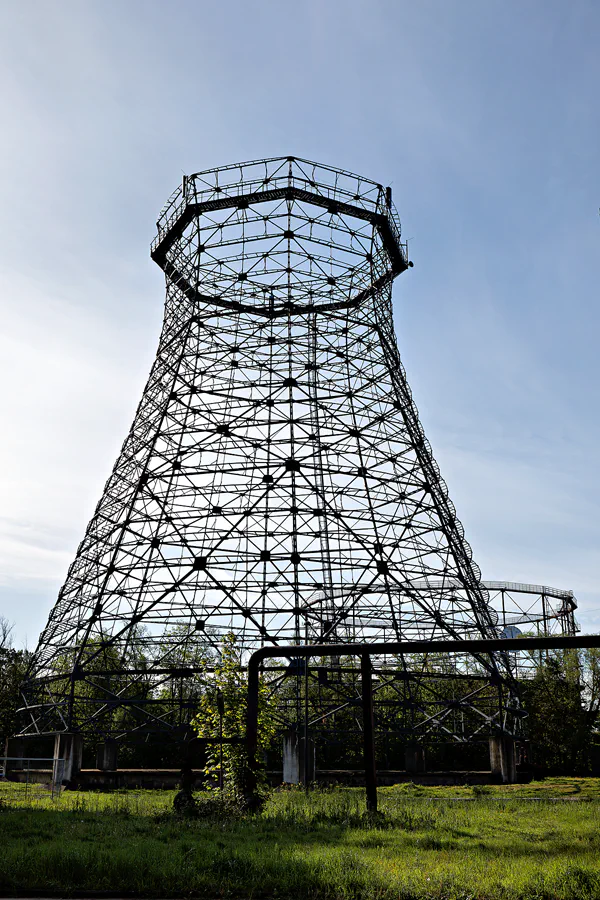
(484,118)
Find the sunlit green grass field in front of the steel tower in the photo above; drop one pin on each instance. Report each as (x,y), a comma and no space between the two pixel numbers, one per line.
(533,841)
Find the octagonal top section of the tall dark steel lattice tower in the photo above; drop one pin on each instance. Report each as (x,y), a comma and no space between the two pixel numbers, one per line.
(279,236)
